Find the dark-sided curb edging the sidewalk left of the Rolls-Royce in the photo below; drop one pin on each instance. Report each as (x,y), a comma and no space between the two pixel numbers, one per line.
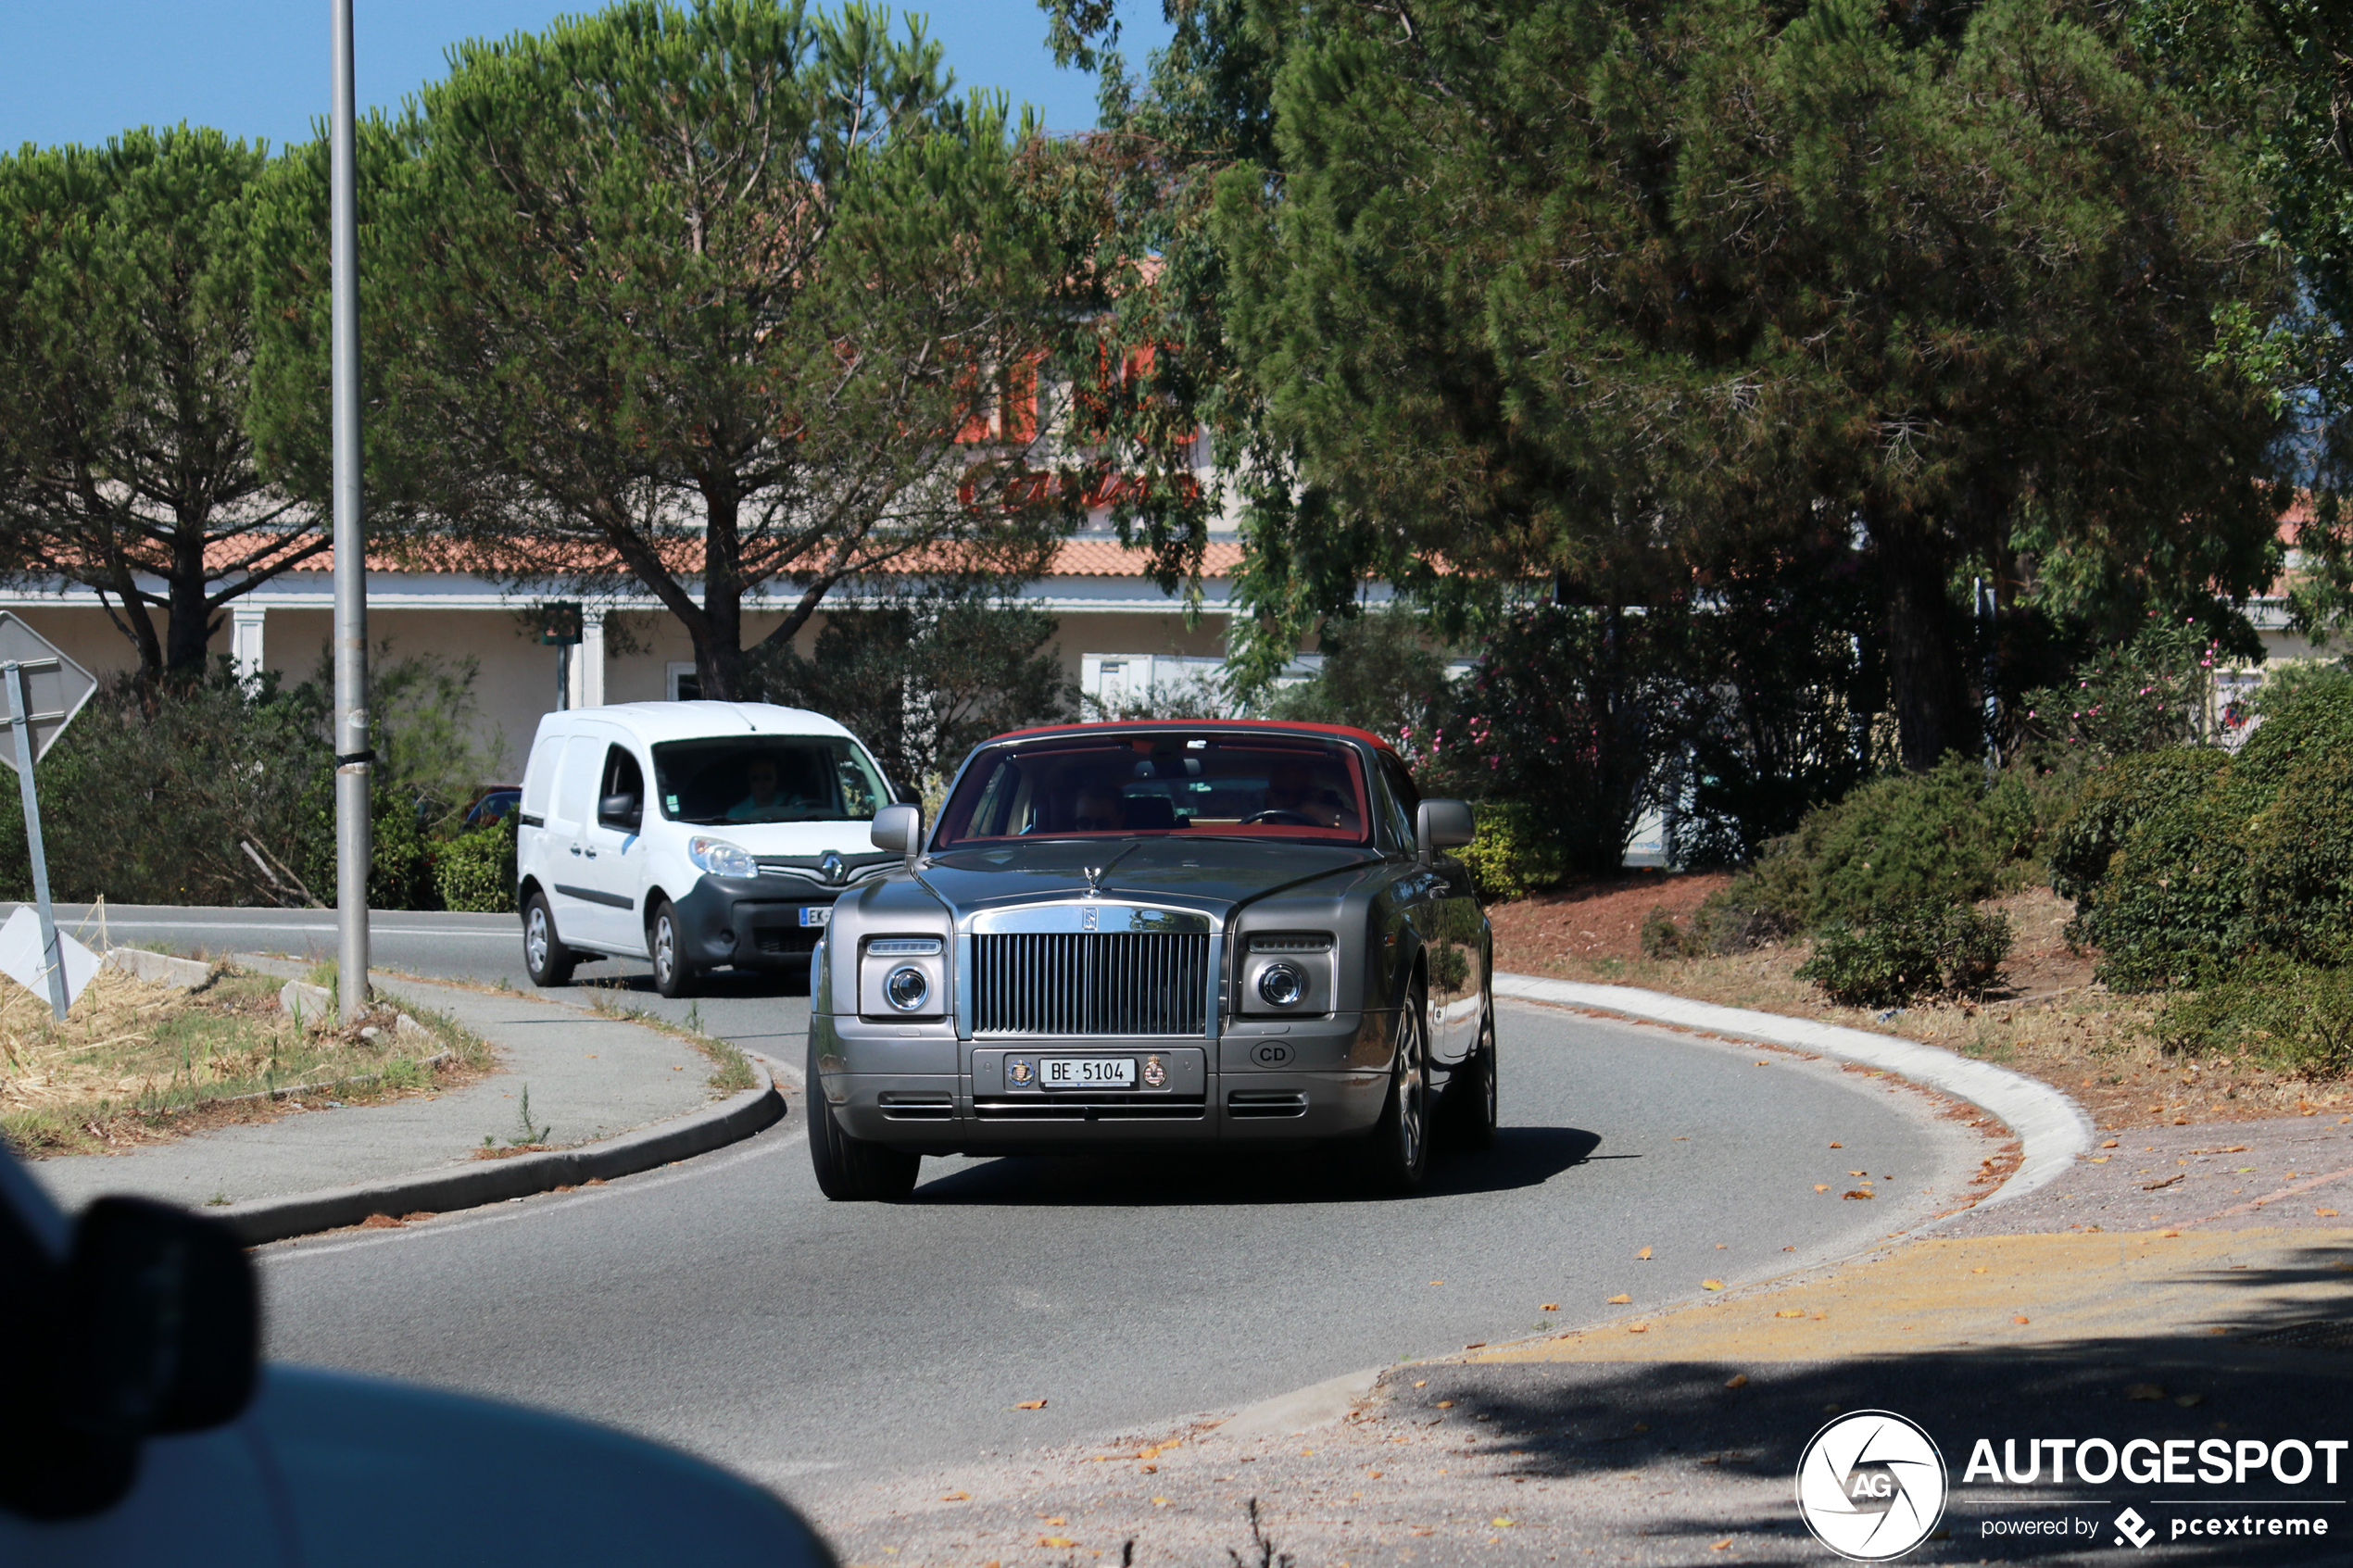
(495,1181)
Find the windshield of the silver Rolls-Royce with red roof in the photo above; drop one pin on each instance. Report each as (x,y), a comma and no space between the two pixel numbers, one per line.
(1168,782)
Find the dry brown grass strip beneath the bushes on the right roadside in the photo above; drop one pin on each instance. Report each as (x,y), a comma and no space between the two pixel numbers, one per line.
(2051,1019)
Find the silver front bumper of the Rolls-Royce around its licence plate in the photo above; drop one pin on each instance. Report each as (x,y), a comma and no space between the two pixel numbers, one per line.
(921,1090)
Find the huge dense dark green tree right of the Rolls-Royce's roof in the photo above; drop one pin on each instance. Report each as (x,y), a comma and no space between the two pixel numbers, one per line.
(1512,288)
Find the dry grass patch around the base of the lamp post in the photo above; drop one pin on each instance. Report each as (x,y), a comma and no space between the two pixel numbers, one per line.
(140,1064)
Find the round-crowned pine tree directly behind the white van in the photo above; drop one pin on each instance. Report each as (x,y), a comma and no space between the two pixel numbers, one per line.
(728,302)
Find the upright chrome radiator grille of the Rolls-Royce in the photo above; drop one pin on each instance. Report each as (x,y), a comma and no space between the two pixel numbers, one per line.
(1091,984)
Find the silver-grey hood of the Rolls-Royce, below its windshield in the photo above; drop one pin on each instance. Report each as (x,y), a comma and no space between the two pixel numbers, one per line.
(1211,876)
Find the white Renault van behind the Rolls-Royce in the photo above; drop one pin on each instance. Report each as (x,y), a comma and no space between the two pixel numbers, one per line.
(695,836)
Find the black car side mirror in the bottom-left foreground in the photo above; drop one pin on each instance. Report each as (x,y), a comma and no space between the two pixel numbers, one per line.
(154,1327)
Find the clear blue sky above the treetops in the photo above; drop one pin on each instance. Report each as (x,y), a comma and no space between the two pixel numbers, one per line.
(260,67)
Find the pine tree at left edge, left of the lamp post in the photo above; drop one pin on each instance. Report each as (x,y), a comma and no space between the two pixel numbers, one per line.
(126,354)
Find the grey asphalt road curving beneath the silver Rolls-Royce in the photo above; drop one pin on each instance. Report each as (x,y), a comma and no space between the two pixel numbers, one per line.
(726,1306)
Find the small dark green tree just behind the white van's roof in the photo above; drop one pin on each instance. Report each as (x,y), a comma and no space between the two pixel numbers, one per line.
(926,678)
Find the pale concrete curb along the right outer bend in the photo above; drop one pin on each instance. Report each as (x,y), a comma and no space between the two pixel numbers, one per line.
(2051,1127)
